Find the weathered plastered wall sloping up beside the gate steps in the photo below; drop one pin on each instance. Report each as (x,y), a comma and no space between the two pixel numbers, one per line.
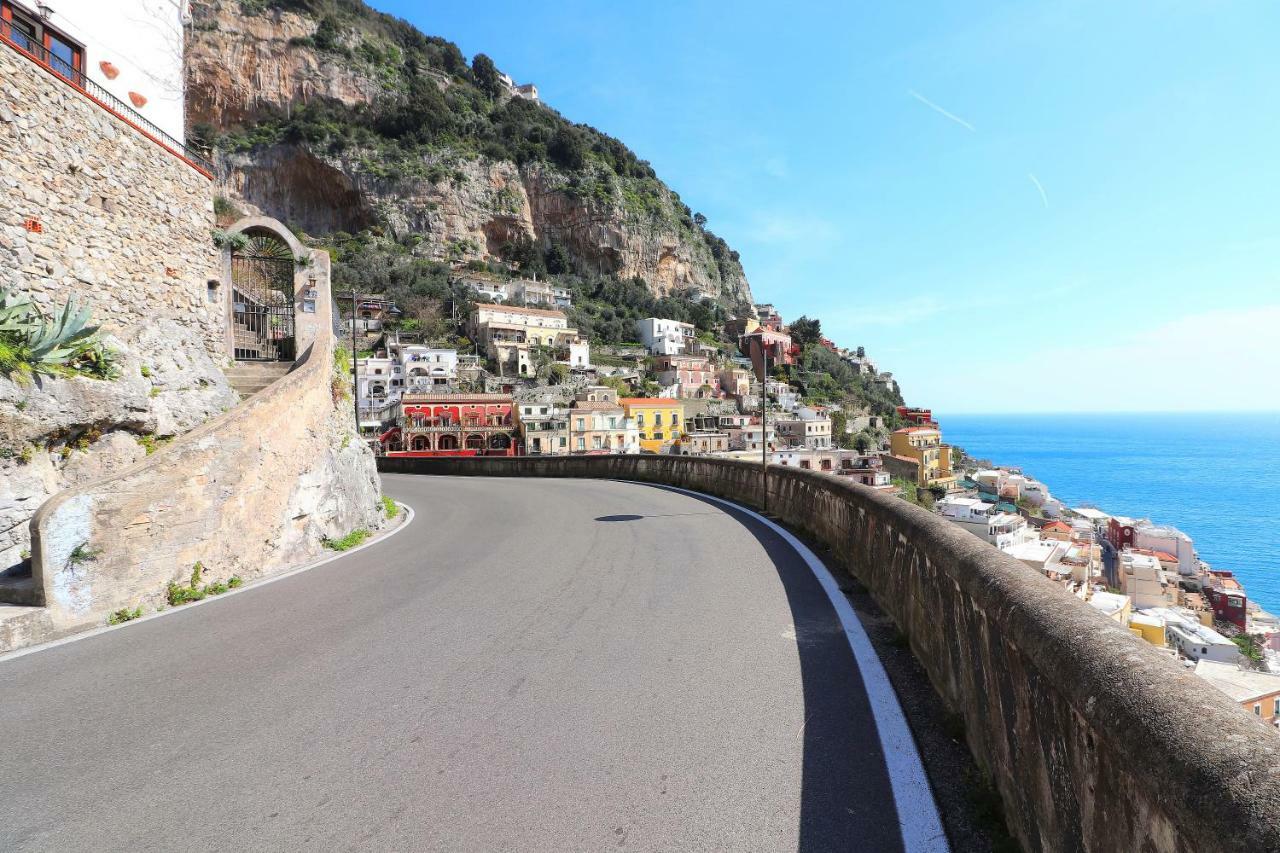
(248,494)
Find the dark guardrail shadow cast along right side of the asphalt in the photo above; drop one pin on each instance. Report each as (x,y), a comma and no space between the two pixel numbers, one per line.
(847,802)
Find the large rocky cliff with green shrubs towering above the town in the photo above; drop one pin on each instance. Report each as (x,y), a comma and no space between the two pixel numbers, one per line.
(340,120)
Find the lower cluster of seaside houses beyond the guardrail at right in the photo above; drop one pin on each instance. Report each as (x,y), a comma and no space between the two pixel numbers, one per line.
(1145,576)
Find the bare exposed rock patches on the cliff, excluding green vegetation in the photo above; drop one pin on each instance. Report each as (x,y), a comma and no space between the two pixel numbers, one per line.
(243,69)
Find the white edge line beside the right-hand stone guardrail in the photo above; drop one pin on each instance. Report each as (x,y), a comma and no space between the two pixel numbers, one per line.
(918,816)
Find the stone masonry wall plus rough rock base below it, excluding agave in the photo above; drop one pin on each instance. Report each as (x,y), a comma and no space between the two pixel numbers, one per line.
(94,209)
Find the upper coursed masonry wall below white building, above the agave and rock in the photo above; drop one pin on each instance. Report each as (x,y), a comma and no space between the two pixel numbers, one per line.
(95,209)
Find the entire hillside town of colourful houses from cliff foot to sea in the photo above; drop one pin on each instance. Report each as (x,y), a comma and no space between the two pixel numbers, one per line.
(531,386)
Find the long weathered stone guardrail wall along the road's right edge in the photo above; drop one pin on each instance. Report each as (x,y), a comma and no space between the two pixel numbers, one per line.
(1095,740)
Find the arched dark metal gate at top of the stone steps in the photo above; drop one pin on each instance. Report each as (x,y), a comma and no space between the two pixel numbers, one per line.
(263,302)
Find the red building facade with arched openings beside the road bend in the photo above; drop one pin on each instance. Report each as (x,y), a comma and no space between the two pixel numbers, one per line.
(454,426)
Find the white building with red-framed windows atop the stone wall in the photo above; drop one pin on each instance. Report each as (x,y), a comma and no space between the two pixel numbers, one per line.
(132,49)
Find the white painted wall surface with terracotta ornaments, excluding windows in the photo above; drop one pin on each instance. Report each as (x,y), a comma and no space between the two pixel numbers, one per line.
(144,40)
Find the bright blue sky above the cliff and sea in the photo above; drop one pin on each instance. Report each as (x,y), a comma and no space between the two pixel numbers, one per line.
(881,166)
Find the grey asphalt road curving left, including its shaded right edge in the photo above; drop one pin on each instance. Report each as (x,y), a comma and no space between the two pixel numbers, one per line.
(532,665)
